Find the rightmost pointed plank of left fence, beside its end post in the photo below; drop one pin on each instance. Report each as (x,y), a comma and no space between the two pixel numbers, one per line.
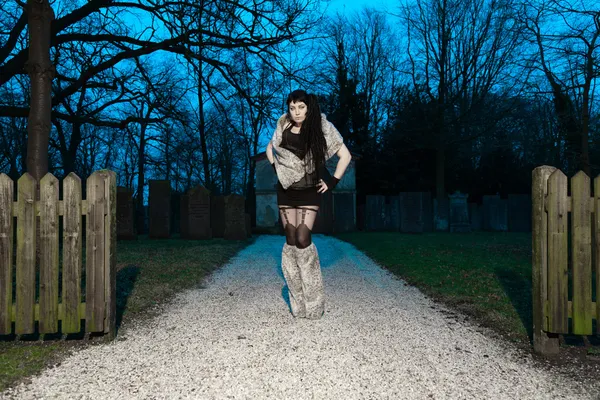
(94,291)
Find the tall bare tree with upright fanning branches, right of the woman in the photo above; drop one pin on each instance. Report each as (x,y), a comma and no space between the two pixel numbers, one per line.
(458,53)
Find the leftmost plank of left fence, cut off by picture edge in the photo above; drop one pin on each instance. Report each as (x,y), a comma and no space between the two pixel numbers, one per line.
(6,243)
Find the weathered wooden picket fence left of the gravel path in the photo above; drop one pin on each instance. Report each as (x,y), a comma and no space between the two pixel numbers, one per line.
(99,307)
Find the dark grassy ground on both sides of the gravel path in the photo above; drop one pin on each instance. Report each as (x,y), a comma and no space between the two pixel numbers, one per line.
(484,275)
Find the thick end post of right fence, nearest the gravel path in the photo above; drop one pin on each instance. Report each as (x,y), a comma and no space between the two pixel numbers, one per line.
(542,342)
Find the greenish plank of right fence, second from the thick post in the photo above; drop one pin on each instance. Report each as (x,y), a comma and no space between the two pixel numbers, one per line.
(581,245)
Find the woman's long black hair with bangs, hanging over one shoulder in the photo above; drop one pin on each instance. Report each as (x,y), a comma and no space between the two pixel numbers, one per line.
(311,131)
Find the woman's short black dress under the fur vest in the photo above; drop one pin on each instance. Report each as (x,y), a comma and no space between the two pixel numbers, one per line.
(303,192)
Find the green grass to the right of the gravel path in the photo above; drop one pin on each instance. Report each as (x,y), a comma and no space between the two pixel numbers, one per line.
(485,274)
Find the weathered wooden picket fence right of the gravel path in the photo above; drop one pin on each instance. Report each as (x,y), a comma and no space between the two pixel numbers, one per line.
(554,272)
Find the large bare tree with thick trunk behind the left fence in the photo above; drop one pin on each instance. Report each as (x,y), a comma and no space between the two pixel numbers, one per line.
(252,24)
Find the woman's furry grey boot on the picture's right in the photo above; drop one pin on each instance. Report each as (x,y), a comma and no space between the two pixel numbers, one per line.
(312,281)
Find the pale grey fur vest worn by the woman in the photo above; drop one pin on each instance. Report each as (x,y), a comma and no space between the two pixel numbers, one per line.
(289,167)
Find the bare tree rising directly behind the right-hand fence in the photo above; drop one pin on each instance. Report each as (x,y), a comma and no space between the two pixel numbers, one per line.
(566,39)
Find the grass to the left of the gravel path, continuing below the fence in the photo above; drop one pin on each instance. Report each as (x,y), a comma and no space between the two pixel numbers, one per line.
(149,272)
